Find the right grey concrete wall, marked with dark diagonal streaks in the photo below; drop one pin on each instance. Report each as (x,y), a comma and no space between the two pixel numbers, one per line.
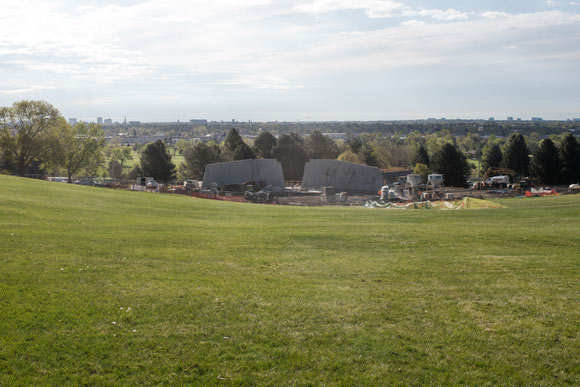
(343,176)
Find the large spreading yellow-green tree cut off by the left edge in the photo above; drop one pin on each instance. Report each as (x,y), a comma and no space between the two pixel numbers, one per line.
(24,131)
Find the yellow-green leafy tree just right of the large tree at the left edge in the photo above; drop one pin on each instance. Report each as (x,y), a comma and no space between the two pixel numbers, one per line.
(80,149)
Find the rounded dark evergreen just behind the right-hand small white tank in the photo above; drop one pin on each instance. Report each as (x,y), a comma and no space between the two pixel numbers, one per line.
(452,164)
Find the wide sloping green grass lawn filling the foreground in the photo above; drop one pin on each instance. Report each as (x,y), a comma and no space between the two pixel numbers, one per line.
(242,294)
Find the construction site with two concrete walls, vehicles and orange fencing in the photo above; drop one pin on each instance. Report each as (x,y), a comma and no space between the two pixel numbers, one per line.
(333,183)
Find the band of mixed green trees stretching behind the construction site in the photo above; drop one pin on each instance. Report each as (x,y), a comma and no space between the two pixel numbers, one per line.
(36,140)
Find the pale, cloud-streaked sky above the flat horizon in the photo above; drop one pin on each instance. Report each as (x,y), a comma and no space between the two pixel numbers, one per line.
(293,60)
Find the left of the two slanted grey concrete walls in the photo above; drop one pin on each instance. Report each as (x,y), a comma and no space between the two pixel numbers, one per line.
(237,172)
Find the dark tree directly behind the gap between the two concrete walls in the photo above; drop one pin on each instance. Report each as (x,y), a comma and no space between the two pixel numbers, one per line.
(291,153)
